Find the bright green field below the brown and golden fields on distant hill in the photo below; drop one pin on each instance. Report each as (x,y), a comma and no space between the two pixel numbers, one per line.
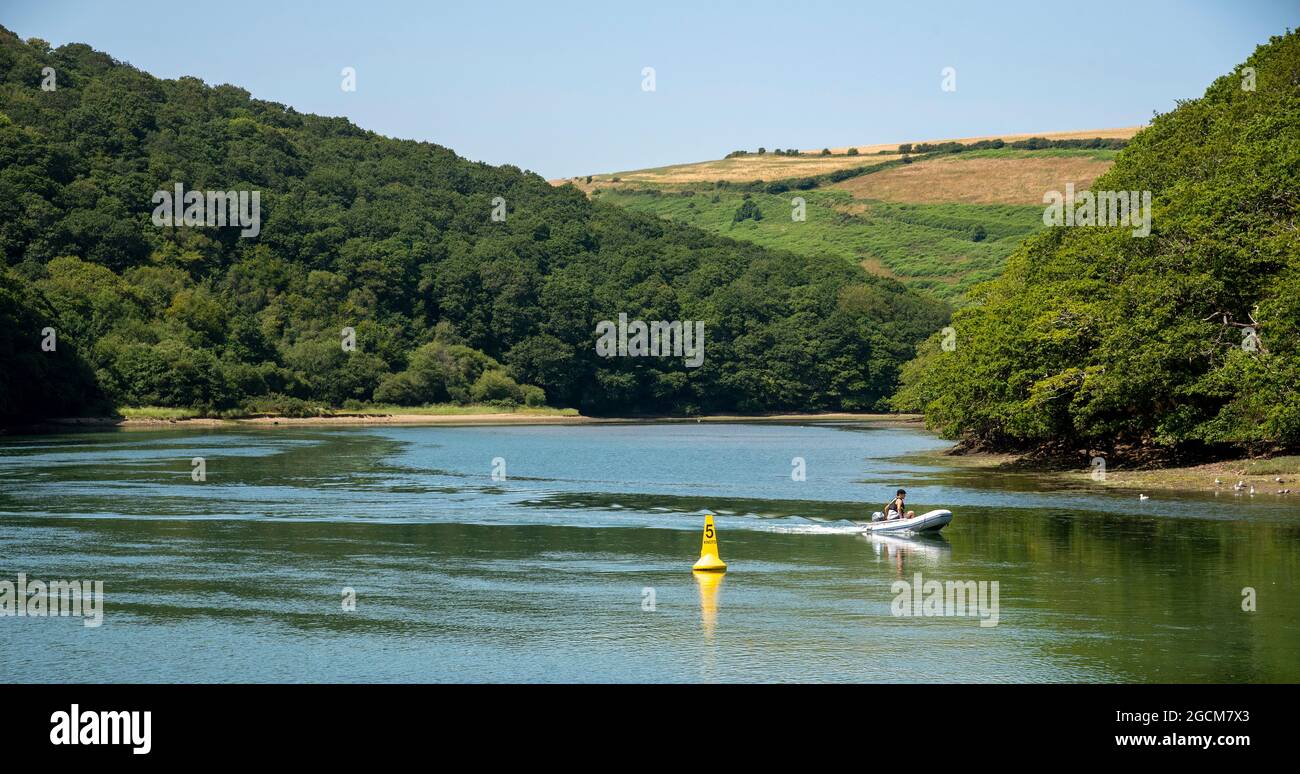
(931,248)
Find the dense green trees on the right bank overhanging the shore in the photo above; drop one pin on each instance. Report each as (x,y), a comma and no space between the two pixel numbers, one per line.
(1097,339)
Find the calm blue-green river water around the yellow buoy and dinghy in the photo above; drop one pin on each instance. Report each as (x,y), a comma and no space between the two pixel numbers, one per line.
(395,555)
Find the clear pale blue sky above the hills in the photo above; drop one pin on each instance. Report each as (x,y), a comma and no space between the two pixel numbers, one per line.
(556,87)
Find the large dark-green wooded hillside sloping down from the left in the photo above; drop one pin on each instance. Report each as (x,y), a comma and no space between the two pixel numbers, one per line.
(395,240)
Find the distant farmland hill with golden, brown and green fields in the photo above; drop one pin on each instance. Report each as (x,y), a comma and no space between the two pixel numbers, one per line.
(939,222)
